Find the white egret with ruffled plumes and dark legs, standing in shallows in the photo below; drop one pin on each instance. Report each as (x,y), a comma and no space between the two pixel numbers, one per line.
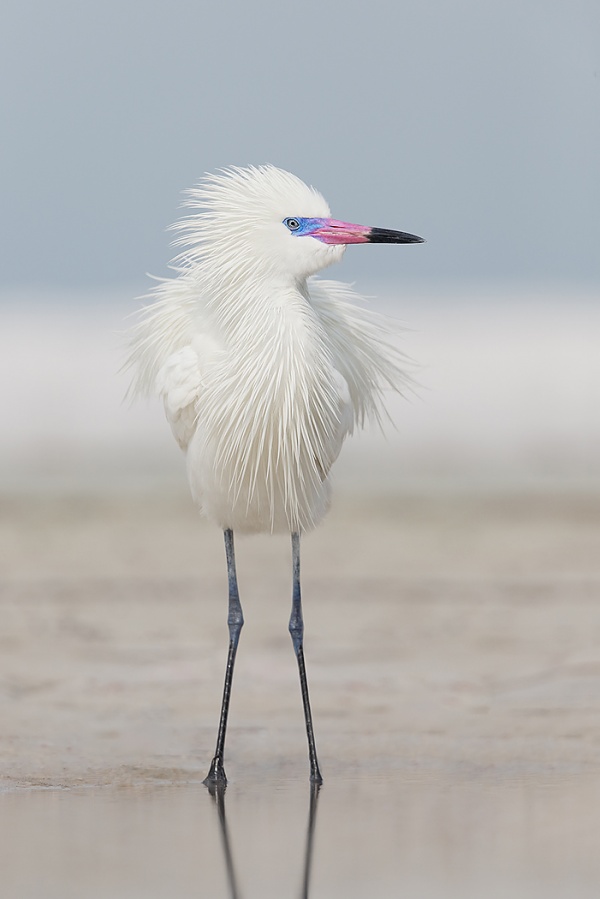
(264,369)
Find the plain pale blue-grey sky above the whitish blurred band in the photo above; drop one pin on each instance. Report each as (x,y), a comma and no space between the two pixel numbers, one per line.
(471,122)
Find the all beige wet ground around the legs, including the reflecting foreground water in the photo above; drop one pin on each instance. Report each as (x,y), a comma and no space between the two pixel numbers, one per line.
(453,652)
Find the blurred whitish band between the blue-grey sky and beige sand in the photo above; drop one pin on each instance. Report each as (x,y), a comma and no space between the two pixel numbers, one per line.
(508,395)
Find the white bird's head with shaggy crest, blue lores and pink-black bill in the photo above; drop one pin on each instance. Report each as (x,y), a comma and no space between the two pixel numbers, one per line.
(268,220)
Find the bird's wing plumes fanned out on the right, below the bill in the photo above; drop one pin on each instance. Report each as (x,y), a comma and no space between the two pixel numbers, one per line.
(363,347)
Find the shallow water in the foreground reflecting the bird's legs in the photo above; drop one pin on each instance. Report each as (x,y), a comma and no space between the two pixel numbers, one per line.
(379,835)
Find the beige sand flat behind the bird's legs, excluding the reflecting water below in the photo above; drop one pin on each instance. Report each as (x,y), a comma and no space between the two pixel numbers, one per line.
(460,631)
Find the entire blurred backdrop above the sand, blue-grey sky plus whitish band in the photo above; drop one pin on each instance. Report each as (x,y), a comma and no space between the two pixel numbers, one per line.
(474,124)
